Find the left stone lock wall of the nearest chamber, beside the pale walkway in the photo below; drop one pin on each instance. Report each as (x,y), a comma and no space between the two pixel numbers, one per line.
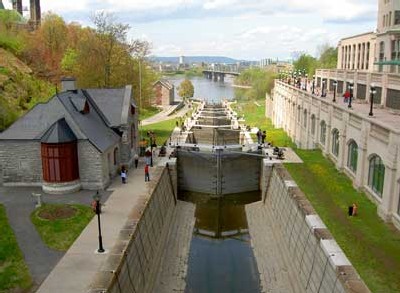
(134,262)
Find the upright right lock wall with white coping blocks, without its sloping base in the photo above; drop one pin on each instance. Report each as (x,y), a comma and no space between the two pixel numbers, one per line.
(315,261)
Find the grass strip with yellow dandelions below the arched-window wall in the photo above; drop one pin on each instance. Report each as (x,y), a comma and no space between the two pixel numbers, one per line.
(372,246)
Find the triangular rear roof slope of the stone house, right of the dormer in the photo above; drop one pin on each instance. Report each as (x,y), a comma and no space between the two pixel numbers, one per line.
(110,102)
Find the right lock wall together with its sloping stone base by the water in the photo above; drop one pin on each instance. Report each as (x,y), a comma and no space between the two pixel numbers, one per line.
(303,256)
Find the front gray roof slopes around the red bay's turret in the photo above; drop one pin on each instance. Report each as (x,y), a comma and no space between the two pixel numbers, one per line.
(92,126)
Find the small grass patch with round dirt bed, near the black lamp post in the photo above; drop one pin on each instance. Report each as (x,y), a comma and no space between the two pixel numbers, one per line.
(58,227)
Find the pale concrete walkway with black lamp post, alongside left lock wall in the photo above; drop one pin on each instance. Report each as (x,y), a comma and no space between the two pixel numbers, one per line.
(82,255)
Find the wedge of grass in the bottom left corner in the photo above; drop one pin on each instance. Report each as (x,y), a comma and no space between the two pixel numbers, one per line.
(14,273)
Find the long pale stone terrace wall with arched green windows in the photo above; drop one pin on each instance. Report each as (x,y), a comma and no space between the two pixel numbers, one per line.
(366,149)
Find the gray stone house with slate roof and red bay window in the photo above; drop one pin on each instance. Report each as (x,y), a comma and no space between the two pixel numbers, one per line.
(78,139)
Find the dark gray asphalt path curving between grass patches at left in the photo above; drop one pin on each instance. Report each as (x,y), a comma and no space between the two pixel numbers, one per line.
(19,205)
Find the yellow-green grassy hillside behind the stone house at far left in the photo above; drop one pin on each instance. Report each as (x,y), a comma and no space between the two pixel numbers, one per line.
(20,90)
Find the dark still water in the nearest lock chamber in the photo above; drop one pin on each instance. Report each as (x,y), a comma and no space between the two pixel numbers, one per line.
(221,258)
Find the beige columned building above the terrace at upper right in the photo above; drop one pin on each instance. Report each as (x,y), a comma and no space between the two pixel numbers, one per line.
(369,59)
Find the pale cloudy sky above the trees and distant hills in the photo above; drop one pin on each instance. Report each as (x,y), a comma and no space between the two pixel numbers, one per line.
(241,29)
